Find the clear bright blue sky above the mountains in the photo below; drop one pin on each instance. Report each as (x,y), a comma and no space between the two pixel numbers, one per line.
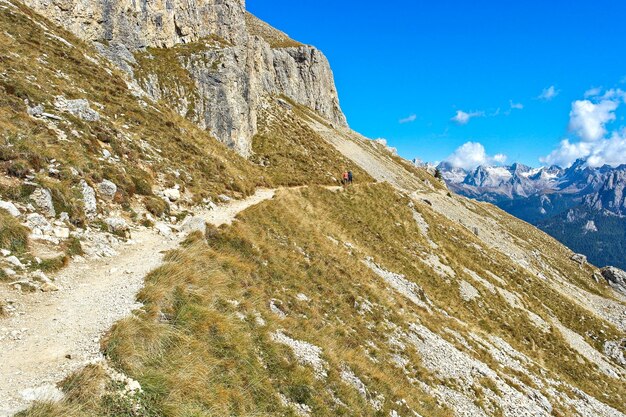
(424,61)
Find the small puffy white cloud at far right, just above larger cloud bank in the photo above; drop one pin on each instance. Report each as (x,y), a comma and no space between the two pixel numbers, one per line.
(588,119)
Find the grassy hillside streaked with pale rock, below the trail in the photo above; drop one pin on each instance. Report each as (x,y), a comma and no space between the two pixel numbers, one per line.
(364,302)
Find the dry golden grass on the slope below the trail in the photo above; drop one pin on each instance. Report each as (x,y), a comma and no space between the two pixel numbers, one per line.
(198,349)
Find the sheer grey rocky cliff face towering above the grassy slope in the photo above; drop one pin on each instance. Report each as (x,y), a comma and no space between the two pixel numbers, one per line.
(226,61)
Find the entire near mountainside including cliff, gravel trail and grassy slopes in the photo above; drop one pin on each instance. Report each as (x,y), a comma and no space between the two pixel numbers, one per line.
(389,297)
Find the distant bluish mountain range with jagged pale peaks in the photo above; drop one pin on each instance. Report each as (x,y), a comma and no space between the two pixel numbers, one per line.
(583,207)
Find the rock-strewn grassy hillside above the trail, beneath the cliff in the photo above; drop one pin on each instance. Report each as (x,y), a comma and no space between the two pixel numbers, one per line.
(83,150)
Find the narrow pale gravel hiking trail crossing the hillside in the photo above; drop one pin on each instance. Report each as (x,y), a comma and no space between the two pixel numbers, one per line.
(60,332)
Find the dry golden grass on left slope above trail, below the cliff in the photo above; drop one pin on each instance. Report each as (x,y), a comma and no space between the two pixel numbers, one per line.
(147,139)
